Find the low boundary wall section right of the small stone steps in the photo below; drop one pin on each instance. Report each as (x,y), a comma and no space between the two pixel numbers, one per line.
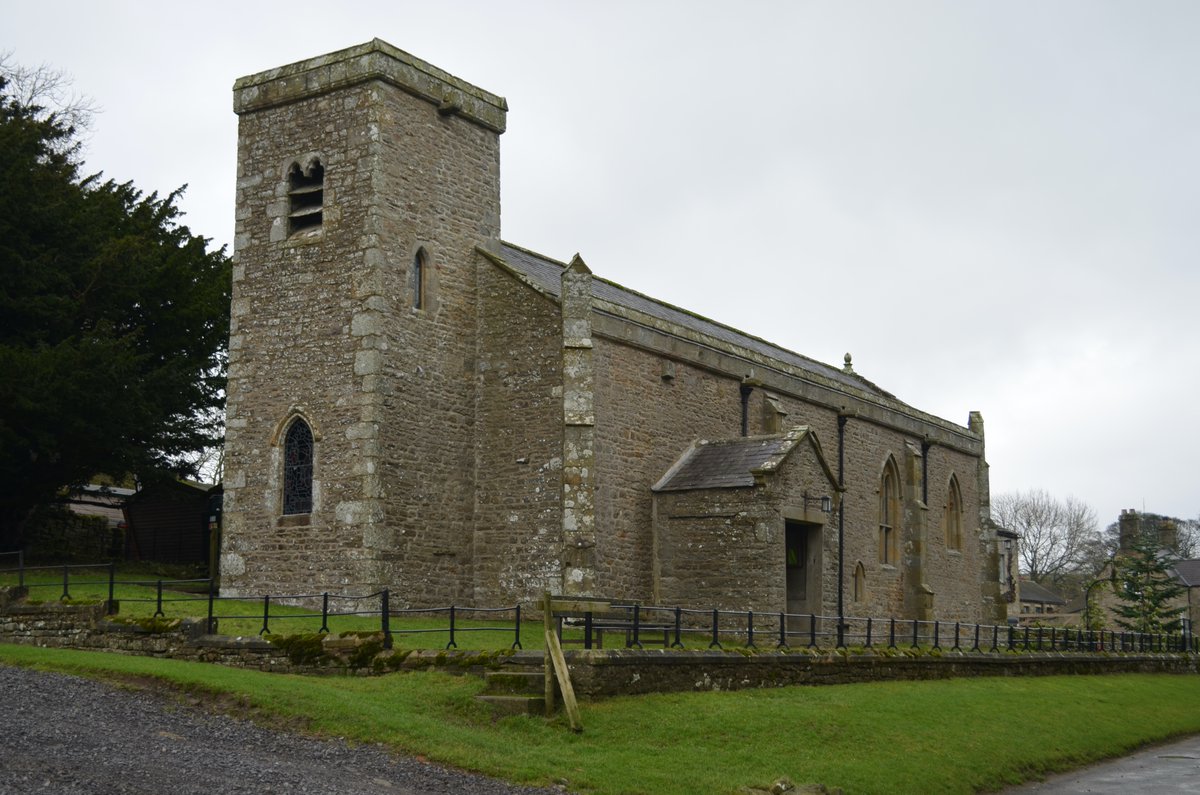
(602,673)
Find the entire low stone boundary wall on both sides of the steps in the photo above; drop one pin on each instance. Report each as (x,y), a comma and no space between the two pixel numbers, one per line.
(595,674)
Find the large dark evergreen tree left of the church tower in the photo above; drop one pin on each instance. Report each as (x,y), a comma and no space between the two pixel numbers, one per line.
(113,321)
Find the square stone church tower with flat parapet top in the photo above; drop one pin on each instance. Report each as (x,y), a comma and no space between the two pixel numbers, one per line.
(367,181)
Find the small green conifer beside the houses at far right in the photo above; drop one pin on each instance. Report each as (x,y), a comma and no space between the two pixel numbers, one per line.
(1147,588)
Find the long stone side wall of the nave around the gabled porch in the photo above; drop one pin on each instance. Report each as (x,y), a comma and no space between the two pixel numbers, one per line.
(646,421)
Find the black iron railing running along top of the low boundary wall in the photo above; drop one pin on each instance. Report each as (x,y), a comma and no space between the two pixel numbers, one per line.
(676,626)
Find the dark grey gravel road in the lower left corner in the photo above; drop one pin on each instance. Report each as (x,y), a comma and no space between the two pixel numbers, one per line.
(65,736)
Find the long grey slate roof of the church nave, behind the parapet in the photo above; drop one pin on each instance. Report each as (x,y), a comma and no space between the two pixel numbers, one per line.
(548,276)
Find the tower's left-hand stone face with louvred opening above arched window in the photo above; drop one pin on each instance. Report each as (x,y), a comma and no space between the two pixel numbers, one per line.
(291,351)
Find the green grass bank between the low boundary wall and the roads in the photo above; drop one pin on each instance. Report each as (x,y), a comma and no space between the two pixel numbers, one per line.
(947,737)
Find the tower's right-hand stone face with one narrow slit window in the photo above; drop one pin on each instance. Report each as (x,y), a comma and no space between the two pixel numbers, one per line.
(439,188)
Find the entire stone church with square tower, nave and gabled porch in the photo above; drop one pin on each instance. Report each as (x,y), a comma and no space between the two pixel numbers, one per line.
(417,404)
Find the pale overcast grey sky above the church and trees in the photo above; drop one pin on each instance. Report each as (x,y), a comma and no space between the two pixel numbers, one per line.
(992,206)
